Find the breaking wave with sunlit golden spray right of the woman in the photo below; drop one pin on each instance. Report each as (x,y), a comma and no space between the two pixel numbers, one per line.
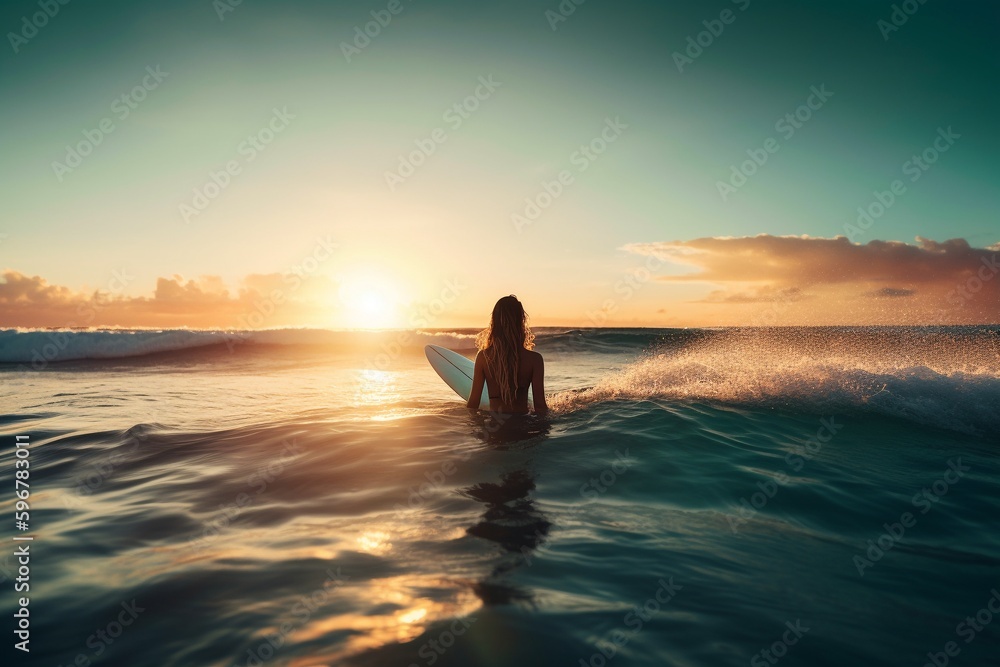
(946,378)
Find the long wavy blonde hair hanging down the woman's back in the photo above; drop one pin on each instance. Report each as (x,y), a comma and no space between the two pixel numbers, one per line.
(501,344)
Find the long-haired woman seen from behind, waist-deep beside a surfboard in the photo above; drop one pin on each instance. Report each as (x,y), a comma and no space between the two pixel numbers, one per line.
(506,362)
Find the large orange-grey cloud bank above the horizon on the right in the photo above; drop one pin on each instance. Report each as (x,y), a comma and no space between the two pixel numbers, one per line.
(834,281)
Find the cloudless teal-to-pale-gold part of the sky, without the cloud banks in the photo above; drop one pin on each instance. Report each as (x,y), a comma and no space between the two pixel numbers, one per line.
(324,174)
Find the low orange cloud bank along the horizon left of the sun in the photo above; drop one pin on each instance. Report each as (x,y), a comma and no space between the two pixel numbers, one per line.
(262,300)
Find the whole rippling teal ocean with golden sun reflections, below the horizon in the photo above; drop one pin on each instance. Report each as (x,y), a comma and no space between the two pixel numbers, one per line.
(696,497)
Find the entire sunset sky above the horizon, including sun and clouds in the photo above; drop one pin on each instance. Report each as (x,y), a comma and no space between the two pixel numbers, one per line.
(371,164)
